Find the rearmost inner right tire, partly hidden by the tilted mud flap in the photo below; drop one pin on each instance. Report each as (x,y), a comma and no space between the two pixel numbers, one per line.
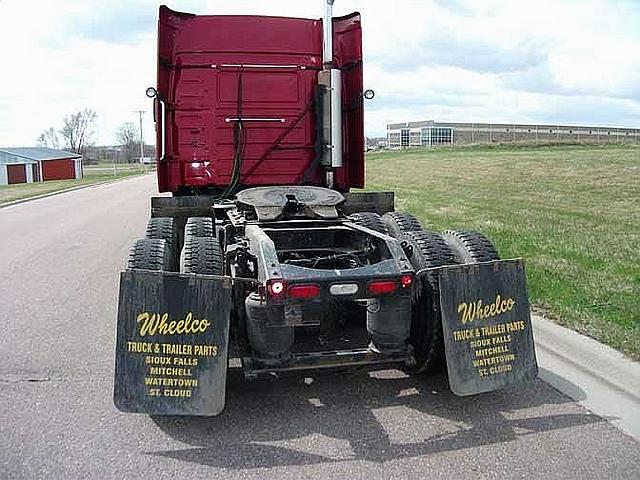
(429,250)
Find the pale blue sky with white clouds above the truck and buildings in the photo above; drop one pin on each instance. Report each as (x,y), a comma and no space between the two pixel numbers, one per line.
(558,62)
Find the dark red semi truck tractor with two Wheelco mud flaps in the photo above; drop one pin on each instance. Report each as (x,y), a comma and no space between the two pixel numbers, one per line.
(264,255)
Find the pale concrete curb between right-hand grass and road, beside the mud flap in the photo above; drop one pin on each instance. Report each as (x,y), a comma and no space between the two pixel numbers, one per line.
(598,377)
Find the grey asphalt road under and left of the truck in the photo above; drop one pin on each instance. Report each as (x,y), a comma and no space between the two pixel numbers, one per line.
(59,266)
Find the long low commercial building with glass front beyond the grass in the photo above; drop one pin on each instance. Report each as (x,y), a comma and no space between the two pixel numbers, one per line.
(430,133)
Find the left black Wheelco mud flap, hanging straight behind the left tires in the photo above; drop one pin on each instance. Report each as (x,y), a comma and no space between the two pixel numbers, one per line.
(172,339)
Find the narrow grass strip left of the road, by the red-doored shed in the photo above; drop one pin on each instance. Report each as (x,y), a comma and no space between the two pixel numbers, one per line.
(92,174)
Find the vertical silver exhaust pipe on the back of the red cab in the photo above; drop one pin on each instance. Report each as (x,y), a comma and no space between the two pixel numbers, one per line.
(333,114)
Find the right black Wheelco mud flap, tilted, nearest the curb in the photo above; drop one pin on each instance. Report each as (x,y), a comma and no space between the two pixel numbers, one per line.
(487,327)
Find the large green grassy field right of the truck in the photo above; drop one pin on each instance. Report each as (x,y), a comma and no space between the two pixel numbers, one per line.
(572,212)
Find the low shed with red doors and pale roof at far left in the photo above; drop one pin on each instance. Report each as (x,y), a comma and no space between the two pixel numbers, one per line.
(38,164)
